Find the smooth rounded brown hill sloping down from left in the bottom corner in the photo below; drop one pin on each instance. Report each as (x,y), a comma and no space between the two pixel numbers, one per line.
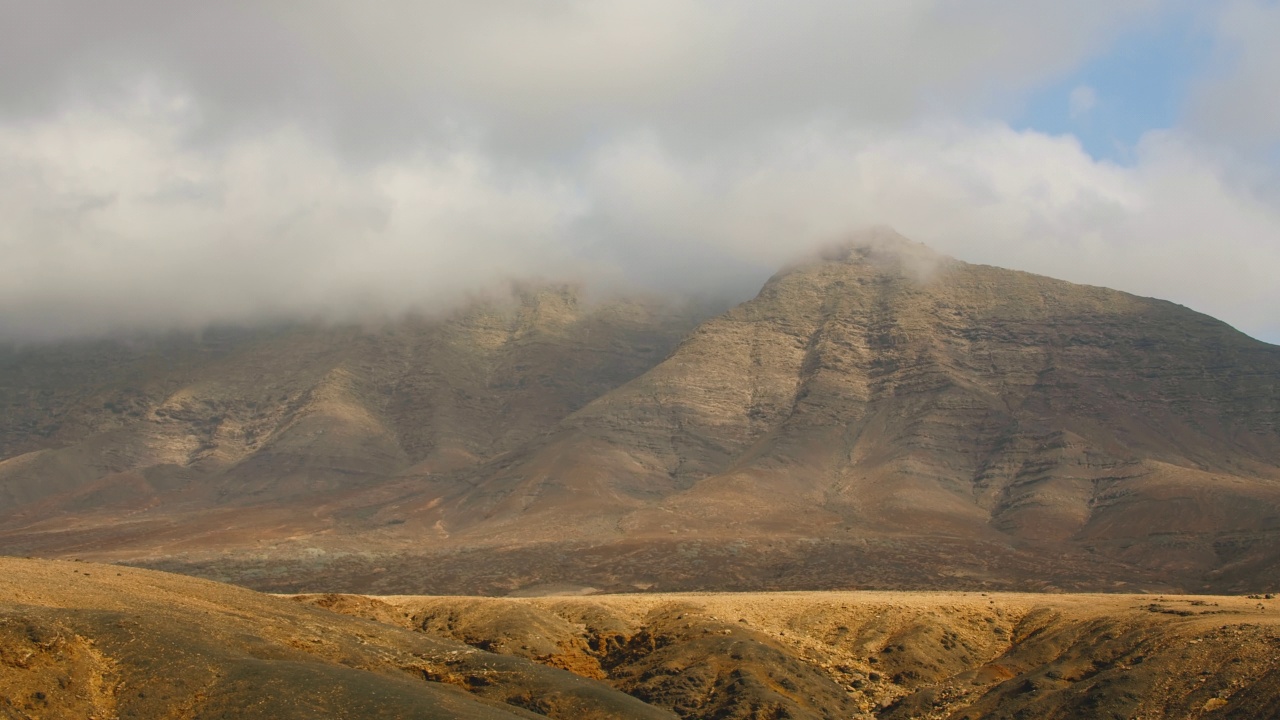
(93,641)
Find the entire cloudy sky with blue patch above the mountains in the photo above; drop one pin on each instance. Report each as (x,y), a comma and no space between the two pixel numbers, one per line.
(171,165)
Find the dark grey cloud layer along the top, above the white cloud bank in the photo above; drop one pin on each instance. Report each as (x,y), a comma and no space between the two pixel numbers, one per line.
(548,75)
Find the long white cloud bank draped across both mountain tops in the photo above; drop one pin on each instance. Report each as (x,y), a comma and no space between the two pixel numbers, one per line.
(138,229)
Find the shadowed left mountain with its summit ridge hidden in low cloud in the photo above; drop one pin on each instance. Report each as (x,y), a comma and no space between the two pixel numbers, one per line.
(237,438)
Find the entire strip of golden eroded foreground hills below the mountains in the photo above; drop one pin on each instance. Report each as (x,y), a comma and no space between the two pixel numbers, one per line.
(83,640)
